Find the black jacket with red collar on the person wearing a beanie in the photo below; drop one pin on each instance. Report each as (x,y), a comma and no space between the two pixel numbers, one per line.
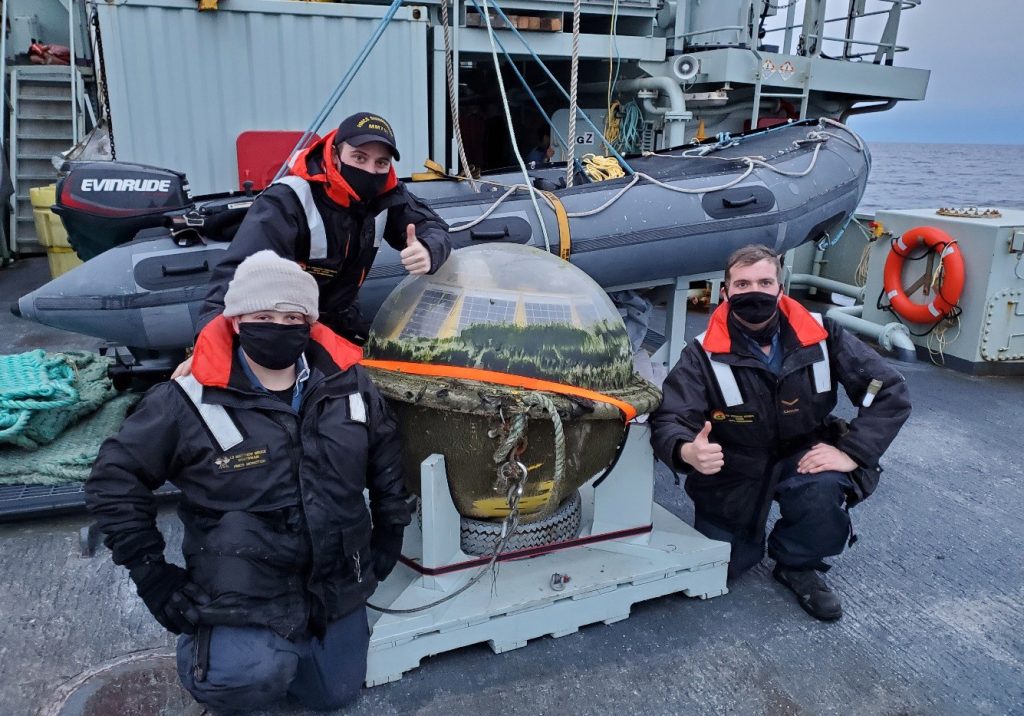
(276,529)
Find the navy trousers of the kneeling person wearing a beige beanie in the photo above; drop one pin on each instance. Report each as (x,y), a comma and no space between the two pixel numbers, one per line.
(253,667)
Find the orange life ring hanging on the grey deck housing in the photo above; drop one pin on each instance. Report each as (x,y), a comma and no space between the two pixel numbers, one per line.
(953,282)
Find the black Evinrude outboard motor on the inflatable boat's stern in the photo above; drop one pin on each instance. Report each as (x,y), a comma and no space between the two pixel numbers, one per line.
(105,204)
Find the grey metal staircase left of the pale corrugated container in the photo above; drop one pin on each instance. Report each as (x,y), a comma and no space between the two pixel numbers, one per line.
(41,127)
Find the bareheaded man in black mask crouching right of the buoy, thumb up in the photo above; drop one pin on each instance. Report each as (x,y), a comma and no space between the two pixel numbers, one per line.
(747,416)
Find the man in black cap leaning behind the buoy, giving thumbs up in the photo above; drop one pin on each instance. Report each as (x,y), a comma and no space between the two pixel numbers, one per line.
(340,199)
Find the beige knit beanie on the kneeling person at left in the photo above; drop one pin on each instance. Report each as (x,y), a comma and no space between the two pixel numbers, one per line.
(268,282)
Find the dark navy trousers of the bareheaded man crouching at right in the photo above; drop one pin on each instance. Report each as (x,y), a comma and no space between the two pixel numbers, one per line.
(815,524)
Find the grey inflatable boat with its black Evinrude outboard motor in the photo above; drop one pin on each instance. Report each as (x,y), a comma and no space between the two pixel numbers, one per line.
(149,248)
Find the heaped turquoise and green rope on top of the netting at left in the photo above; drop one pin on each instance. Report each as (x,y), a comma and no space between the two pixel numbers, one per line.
(42,394)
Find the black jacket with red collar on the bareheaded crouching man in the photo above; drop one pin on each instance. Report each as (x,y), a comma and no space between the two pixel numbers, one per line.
(780,416)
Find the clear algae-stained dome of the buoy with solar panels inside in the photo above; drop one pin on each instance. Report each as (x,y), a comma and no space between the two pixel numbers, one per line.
(507,309)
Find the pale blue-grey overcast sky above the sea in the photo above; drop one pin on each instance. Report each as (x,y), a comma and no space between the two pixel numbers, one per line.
(975,51)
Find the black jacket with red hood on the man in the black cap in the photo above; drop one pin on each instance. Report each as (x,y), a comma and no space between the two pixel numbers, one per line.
(277,221)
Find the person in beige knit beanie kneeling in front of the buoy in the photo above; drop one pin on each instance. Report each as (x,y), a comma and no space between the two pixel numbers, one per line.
(272,441)
